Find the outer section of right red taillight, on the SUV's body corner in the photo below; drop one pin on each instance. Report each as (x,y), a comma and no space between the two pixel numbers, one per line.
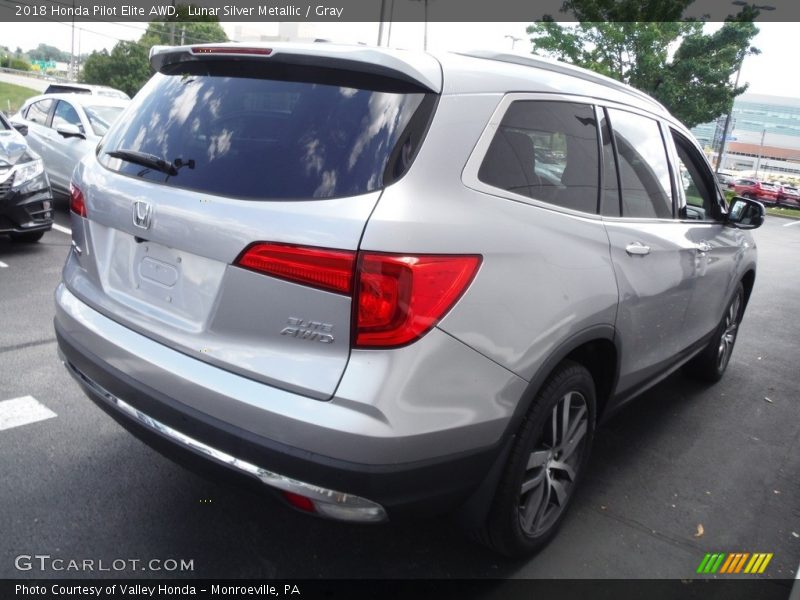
(400,298)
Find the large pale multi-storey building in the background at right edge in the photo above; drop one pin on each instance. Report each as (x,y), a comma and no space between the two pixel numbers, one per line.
(764,140)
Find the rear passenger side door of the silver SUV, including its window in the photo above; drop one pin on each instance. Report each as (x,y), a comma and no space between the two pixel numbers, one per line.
(652,256)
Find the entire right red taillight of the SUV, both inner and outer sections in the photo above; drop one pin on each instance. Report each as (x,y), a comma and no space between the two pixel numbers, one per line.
(397,298)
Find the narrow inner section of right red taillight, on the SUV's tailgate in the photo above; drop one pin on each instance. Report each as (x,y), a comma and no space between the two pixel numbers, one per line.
(330,270)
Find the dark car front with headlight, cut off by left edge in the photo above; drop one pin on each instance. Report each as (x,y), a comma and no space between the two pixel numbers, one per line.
(26,211)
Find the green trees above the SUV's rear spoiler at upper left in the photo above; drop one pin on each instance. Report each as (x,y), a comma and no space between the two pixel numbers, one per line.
(127,68)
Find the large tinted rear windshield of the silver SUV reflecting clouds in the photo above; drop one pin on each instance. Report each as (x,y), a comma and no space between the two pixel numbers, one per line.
(267,132)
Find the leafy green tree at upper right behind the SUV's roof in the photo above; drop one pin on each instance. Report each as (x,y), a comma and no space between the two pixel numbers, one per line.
(631,42)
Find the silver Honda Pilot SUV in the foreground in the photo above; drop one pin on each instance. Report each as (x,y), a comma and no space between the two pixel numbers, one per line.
(386,283)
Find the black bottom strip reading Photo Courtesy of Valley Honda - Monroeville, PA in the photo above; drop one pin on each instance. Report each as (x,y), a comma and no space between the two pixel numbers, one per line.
(518,589)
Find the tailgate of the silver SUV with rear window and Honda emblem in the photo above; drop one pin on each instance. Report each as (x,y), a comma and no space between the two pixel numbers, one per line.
(266,169)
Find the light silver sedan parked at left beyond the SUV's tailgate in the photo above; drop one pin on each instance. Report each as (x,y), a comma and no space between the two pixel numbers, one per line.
(62,128)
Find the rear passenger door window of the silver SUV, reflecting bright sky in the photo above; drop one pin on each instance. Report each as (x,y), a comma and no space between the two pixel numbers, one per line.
(643,166)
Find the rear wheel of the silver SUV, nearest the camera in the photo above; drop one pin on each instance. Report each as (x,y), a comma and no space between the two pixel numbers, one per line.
(545,464)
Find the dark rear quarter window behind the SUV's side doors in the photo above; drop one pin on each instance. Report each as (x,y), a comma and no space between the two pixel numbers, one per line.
(546,151)
